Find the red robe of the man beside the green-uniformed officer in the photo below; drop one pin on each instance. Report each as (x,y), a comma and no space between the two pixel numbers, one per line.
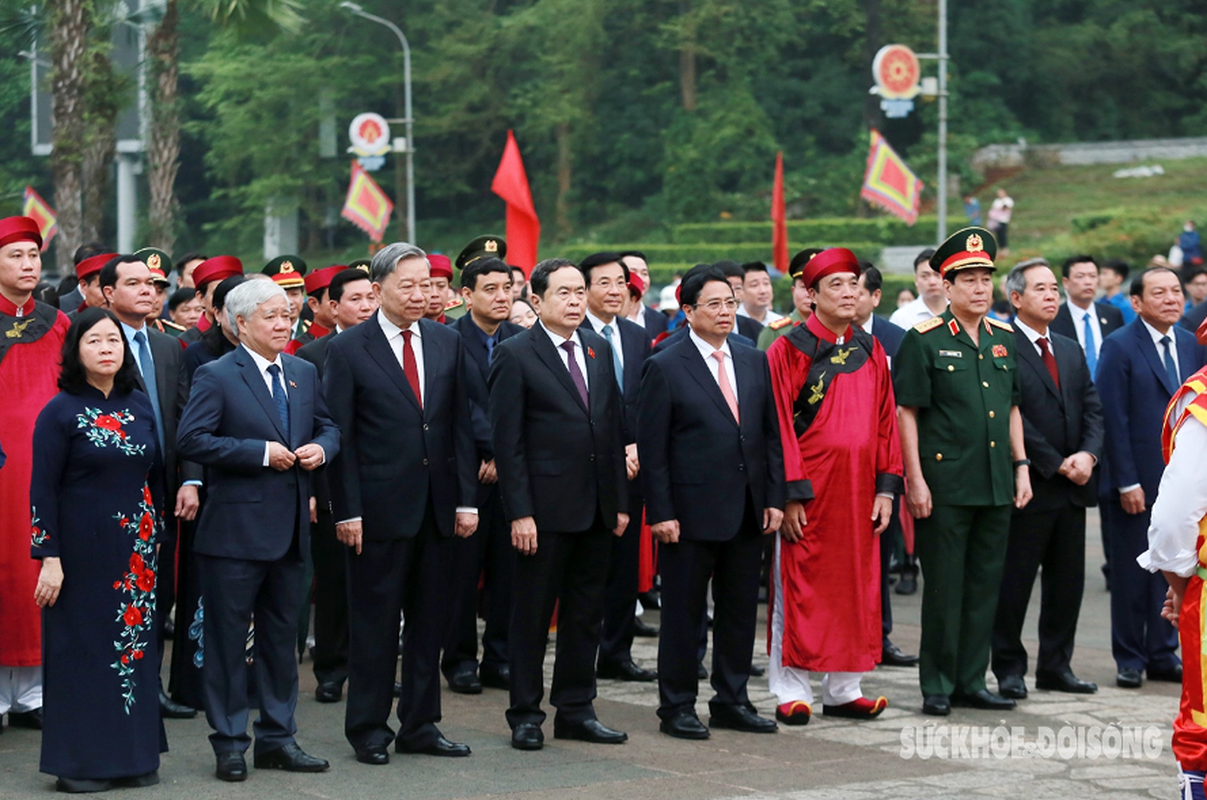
(846,454)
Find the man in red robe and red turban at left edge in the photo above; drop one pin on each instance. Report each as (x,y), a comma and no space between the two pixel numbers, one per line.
(32,336)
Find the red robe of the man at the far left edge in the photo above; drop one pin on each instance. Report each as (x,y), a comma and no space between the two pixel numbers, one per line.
(31,348)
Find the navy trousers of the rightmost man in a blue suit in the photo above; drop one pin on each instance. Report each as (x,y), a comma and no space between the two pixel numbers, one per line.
(1140,639)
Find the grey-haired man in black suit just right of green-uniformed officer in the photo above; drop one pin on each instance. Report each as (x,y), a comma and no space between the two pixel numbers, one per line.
(1063,431)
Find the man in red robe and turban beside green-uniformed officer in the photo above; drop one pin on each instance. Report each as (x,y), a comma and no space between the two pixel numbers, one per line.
(843,465)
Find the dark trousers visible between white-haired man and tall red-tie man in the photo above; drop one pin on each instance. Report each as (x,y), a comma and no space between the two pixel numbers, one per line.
(330,602)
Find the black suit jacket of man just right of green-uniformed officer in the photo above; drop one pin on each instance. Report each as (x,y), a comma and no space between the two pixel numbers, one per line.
(1058,423)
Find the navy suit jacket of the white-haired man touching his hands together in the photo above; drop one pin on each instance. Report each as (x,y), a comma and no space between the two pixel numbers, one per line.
(252,511)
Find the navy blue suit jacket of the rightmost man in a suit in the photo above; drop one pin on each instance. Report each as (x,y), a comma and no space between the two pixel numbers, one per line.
(1135,392)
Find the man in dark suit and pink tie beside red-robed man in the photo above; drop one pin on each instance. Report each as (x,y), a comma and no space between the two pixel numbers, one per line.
(713,474)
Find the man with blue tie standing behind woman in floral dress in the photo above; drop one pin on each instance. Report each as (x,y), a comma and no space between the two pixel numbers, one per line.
(129,288)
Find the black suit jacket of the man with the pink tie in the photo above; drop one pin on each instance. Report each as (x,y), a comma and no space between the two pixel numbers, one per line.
(697,462)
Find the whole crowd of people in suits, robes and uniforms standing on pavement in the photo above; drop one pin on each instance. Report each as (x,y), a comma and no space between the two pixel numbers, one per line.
(540,448)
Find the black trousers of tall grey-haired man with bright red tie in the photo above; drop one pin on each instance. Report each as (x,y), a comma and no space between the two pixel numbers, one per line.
(392,577)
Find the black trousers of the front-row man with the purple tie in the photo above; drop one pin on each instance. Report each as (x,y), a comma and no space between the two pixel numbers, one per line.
(569,570)
